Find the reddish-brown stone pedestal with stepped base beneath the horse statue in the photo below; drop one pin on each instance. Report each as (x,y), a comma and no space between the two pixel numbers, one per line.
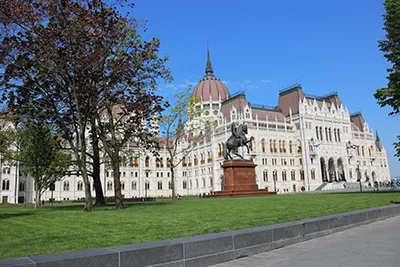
(240,180)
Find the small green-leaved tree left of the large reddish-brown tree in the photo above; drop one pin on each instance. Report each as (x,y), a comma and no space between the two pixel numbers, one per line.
(41,157)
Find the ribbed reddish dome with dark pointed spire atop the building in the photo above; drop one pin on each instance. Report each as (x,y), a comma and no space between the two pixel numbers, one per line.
(210,88)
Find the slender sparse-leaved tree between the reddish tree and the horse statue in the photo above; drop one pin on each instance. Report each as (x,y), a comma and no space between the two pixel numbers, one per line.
(183,127)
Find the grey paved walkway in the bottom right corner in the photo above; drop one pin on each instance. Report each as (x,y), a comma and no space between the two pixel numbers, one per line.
(376,244)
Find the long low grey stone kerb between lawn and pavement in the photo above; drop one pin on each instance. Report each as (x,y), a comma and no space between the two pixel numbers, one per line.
(210,249)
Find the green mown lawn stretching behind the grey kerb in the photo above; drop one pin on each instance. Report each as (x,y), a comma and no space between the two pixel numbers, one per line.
(59,228)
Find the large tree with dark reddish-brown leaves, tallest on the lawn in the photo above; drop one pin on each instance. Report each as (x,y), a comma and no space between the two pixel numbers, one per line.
(68,58)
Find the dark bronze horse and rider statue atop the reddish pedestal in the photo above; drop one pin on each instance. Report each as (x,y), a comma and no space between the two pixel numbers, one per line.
(236,140)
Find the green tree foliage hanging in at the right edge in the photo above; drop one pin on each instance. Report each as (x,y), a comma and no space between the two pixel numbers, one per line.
(390,46)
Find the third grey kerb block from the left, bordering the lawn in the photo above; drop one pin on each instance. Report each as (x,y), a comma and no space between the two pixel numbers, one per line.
(149,253)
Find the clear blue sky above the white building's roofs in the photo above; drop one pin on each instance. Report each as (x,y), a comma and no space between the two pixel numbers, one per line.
(262,47)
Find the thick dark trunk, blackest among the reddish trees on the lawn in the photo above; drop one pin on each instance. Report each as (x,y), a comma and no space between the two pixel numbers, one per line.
(100,201)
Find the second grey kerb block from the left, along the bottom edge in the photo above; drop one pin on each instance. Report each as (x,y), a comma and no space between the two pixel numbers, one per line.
(92,257)
